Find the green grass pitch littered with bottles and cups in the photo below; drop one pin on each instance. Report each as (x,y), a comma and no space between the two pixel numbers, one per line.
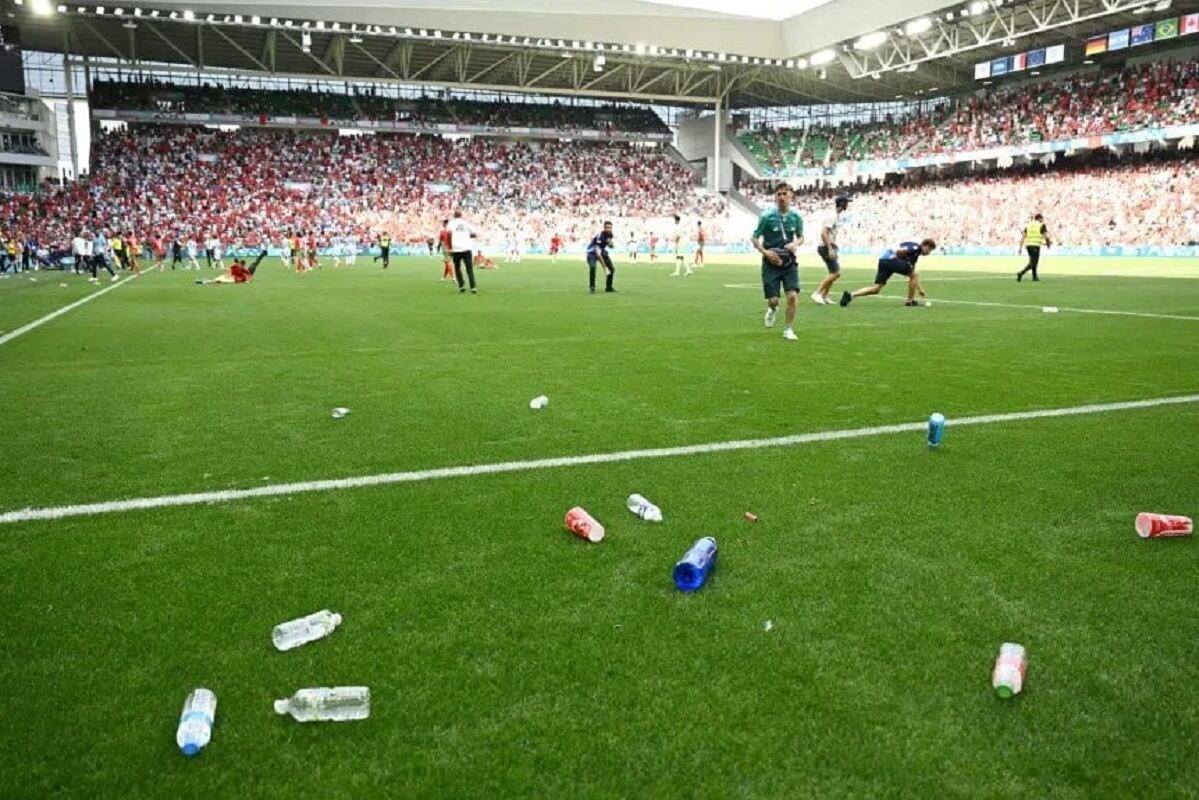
(508,658)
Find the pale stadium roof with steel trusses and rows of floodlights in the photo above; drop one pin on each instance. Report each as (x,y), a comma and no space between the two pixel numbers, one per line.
(691,52)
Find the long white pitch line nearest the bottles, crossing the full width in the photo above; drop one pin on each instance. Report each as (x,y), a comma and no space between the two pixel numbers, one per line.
(276,490)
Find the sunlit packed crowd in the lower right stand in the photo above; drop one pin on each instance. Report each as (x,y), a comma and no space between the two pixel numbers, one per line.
(1089,201)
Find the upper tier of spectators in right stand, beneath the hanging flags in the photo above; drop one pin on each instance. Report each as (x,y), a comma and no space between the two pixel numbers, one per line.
(1090,104)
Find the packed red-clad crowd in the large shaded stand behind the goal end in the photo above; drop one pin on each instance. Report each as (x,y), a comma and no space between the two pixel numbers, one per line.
(258,187)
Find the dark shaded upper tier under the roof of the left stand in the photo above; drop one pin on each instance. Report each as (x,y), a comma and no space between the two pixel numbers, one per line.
(155,97)
